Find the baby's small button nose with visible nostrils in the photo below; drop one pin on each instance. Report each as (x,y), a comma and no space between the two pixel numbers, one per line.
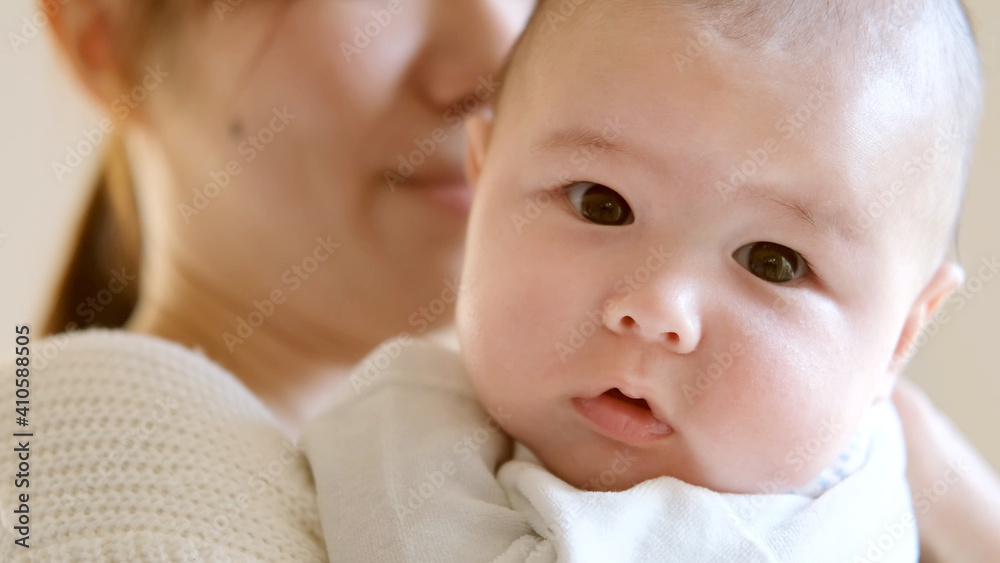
(662,311)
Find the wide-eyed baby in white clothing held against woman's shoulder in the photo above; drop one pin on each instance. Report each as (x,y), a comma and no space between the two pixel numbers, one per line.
(704,239)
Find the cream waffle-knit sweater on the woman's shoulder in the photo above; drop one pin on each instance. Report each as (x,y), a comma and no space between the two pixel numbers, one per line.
(146,451)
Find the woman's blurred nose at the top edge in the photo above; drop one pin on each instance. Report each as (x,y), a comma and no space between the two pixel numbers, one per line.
(466,45)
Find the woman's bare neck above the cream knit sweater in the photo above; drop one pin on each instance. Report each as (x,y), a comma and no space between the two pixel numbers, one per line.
(291,363)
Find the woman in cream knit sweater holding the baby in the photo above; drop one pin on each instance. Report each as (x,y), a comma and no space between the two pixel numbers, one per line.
(297,182)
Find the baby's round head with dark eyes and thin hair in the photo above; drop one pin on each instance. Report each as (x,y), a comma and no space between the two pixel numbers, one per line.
(706,233)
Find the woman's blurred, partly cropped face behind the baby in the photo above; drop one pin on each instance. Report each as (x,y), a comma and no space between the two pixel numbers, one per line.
(290,123)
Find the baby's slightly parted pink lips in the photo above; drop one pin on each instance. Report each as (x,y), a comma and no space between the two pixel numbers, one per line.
(622,418)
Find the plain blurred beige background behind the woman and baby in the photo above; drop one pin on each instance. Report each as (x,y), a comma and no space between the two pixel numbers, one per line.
(42,113)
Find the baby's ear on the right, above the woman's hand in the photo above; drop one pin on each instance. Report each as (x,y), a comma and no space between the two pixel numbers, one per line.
(946,280)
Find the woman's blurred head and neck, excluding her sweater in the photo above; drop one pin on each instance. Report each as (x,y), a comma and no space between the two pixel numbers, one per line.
(274,129)
